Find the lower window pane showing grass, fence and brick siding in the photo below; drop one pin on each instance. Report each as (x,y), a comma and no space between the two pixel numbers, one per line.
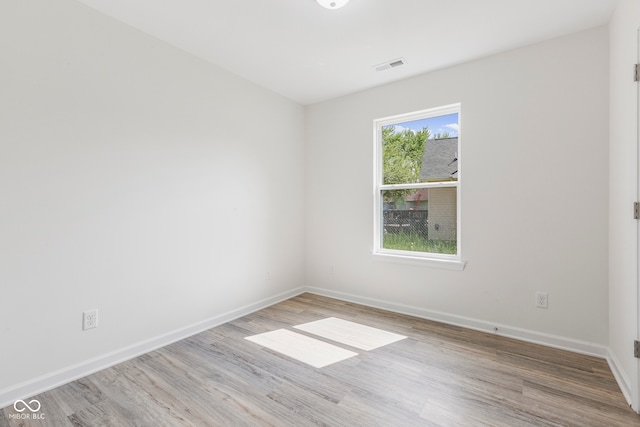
(420,221)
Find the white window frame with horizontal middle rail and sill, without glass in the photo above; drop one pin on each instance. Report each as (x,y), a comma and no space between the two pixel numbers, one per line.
(448,261)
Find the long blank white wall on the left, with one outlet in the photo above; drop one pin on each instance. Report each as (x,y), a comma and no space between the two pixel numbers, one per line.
(136,179)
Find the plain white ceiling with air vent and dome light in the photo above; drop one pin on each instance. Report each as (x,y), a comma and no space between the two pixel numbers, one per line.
(310,54)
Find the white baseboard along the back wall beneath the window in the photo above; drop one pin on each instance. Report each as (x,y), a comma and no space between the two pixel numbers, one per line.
(577,346)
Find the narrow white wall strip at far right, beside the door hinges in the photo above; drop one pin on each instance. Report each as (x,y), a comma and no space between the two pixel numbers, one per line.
(623,188)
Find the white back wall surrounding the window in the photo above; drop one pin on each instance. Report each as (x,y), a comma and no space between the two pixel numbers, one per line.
(534,194)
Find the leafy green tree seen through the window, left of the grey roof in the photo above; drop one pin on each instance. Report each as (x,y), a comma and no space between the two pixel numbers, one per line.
(402,158)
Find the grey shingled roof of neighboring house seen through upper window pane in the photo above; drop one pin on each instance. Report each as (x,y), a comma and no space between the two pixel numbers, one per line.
(440,160)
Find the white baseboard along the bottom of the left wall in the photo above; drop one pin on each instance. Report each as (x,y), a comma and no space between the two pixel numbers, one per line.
(65,375)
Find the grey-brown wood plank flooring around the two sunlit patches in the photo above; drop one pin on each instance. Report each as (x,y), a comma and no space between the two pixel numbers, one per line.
(439,376)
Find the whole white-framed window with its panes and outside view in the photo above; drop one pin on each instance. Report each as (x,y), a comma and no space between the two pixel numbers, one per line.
(417,185)
